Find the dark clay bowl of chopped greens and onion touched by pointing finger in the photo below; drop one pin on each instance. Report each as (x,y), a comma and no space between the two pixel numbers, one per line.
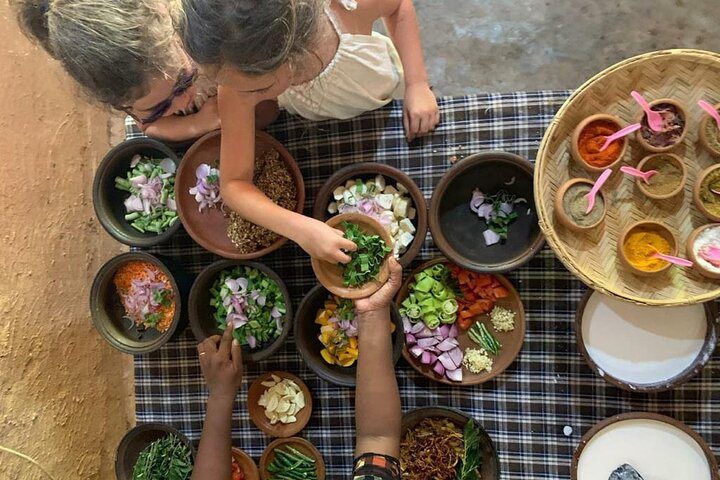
(201,313)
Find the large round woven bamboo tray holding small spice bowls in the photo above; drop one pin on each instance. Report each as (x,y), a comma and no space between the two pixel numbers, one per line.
(685,75)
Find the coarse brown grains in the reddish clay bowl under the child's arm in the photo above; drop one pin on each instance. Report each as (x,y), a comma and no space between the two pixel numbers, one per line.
(274,179)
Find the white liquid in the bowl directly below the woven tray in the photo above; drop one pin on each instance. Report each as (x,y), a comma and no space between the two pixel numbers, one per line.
(642,345)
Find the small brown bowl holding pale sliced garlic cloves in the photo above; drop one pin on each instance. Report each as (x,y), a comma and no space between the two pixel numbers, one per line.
(257,413)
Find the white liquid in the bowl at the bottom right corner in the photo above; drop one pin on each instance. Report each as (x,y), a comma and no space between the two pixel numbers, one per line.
(658,451)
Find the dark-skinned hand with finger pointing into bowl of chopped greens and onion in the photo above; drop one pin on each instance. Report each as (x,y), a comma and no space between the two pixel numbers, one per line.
(221,364)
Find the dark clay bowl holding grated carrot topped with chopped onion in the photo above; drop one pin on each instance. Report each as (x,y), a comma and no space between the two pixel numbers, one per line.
(108,312)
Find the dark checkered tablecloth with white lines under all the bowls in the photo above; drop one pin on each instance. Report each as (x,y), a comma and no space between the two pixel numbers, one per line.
(526,408)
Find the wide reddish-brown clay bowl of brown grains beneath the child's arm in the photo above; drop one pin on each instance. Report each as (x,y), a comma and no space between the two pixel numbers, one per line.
(209,227)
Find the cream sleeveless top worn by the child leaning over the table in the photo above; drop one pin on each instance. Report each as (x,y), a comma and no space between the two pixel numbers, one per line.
(365,74)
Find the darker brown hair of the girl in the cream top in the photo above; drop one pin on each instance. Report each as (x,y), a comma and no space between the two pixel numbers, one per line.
(252,36)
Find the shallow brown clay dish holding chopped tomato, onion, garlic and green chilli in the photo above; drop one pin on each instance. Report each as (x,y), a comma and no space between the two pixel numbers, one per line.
(511,341)
